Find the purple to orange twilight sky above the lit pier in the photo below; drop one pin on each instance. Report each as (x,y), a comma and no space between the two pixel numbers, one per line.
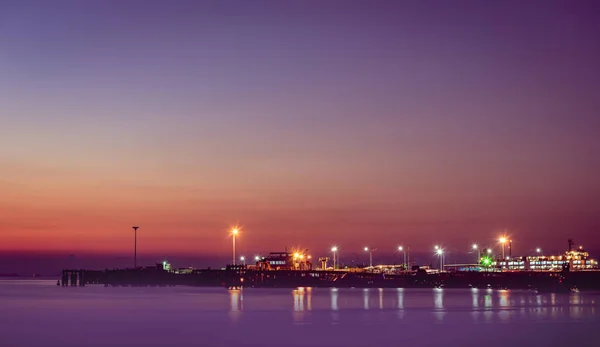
(308,123)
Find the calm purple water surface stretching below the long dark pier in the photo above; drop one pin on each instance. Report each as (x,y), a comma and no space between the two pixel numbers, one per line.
(38,313)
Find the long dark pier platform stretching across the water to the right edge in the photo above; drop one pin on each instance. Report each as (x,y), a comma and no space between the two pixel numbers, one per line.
(238,276)
